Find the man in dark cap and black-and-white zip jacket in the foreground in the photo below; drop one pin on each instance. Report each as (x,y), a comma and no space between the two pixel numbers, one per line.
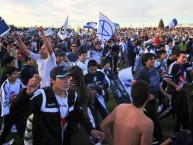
(54,111)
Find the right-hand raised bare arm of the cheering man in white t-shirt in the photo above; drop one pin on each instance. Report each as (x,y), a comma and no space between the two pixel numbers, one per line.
(46,41)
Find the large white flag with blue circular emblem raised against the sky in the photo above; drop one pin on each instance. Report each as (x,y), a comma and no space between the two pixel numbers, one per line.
(106,28)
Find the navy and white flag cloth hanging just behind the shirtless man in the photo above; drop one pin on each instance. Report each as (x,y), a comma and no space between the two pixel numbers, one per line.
(121,85)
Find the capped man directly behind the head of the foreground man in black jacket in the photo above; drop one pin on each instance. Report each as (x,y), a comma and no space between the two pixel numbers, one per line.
(62,60)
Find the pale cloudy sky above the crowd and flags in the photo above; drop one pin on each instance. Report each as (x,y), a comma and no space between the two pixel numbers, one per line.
(127,13)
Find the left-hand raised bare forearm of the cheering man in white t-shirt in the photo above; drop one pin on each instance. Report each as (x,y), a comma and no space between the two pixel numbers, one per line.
(22,46)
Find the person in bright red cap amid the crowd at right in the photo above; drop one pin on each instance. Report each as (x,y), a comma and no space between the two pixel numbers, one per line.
(152,48)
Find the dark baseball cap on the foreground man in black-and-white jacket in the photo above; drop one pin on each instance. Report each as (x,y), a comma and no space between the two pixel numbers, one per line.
(59,72)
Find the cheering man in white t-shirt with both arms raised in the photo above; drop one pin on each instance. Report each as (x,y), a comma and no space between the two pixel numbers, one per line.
(46,59)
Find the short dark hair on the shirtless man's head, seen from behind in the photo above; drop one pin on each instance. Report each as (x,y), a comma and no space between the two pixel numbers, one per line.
(140,92)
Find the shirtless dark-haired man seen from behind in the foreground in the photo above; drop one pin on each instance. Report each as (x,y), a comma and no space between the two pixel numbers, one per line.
(130,125)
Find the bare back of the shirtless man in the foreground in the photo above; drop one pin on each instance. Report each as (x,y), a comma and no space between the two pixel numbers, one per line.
(132,126)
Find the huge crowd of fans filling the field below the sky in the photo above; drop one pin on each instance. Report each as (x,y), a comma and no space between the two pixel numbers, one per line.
(56,91)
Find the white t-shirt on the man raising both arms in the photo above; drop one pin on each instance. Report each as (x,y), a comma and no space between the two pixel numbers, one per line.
(44,67)
